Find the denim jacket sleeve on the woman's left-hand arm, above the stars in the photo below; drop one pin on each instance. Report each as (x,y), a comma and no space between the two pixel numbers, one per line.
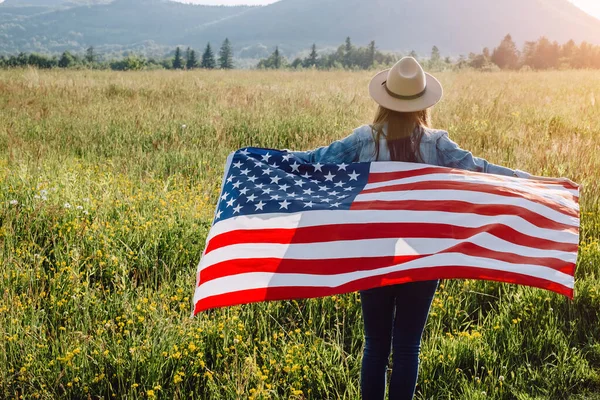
(346,150)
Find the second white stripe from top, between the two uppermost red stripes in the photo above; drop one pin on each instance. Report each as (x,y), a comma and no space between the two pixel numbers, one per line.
(549,194)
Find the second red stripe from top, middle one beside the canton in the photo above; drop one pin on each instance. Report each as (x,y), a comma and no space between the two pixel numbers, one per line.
(476,187)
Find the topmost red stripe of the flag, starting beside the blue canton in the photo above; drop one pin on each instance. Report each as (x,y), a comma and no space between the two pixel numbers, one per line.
(377,177)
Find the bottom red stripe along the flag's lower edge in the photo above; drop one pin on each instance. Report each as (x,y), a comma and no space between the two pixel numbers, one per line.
(454,272)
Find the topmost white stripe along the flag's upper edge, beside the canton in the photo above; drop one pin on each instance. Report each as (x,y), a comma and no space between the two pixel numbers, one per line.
(386,166)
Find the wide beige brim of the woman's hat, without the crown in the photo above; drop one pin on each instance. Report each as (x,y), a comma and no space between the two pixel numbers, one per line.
(378,92)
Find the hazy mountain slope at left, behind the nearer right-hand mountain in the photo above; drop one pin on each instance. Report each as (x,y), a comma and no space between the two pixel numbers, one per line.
(118,25)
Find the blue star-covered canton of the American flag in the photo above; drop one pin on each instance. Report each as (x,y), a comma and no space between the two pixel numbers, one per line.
(261,181)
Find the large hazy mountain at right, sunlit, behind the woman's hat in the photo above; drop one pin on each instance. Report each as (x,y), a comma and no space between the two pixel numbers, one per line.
(456,26)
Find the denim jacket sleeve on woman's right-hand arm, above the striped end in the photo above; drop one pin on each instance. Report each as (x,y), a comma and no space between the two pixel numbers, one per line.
(451,155)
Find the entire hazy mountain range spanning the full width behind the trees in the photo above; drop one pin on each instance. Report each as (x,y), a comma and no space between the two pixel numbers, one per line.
(456,26)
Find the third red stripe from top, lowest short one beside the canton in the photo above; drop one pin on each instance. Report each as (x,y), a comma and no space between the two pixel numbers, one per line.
(456,206)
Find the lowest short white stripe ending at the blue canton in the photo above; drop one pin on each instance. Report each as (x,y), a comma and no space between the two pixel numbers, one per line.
(469,197)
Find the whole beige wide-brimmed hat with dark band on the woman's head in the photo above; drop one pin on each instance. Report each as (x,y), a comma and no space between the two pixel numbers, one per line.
(405,87)
